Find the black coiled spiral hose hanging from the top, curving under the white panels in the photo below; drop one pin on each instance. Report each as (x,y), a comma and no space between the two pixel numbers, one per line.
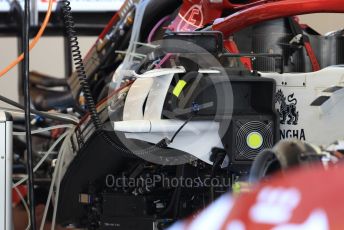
(81,73)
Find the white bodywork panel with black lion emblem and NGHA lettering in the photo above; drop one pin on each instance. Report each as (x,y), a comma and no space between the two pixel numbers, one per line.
(315,124)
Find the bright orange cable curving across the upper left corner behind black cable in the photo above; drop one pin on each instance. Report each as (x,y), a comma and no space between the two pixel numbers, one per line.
(34,41)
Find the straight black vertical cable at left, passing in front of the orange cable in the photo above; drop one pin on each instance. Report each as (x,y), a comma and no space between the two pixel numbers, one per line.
(27,110)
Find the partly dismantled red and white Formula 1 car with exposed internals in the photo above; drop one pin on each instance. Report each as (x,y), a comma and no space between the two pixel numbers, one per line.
(175,102)
